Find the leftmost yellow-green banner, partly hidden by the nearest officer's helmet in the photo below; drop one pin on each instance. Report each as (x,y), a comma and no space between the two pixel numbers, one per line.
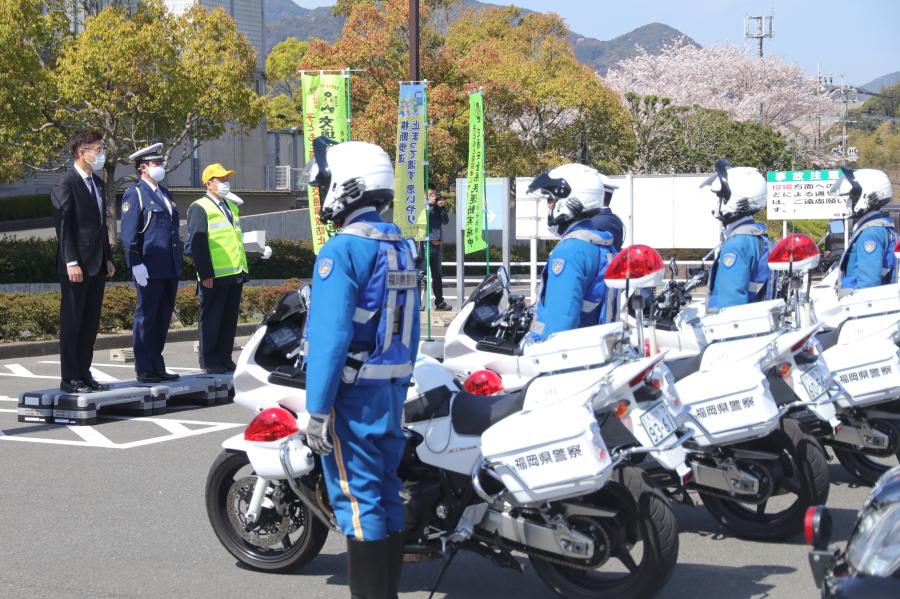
(325,98)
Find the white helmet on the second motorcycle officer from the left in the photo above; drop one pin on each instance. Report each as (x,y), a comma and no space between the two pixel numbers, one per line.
(577,191)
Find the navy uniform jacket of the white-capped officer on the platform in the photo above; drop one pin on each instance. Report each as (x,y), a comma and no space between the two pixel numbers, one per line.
(149,234)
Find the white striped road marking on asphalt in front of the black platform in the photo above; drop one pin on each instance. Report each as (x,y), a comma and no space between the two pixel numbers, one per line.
(91,437)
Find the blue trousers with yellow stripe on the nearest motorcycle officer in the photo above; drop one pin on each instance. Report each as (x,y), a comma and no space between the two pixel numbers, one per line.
(361,471)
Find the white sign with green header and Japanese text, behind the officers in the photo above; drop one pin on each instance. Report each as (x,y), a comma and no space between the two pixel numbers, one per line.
(803,195)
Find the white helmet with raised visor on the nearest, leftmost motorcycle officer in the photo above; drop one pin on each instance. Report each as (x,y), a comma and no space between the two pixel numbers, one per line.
(350,176)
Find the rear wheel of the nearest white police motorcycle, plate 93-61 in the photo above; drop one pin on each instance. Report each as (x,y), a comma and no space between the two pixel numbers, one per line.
(641,543)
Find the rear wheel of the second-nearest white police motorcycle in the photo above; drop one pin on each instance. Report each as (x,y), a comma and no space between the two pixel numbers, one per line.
(806,465)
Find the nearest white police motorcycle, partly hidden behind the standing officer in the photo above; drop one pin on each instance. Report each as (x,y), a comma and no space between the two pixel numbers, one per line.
(528,472)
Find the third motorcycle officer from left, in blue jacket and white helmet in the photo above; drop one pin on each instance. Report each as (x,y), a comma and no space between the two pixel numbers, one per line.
(740,271)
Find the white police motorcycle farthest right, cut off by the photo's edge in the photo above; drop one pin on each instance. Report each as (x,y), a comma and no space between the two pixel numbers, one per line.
(860,342)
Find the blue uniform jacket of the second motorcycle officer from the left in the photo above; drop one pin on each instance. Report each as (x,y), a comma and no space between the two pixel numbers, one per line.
(569,280)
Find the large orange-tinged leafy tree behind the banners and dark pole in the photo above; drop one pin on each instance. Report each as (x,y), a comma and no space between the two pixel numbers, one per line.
(542,107)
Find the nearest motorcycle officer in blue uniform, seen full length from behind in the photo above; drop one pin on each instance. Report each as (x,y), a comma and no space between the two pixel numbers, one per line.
(363,339)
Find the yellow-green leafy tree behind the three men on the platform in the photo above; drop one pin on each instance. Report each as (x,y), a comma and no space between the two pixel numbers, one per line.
(138,78)
